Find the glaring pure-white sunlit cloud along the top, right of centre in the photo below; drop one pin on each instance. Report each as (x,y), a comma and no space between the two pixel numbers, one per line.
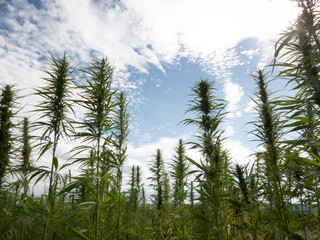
(201,27)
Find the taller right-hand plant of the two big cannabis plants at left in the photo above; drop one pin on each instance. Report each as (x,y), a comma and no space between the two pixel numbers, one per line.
(96,126)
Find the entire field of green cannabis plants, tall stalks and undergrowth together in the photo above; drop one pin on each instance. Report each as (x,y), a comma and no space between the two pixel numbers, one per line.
(277,197)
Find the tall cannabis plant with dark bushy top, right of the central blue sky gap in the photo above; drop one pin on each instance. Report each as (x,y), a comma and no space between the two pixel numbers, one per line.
(213,170)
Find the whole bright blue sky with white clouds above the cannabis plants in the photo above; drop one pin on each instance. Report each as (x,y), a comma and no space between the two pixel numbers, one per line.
(158,49)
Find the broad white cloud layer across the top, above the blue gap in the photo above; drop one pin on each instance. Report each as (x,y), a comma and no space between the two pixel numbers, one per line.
(133,33)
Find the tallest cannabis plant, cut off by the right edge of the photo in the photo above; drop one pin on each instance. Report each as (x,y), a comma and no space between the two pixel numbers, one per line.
(297,53)
